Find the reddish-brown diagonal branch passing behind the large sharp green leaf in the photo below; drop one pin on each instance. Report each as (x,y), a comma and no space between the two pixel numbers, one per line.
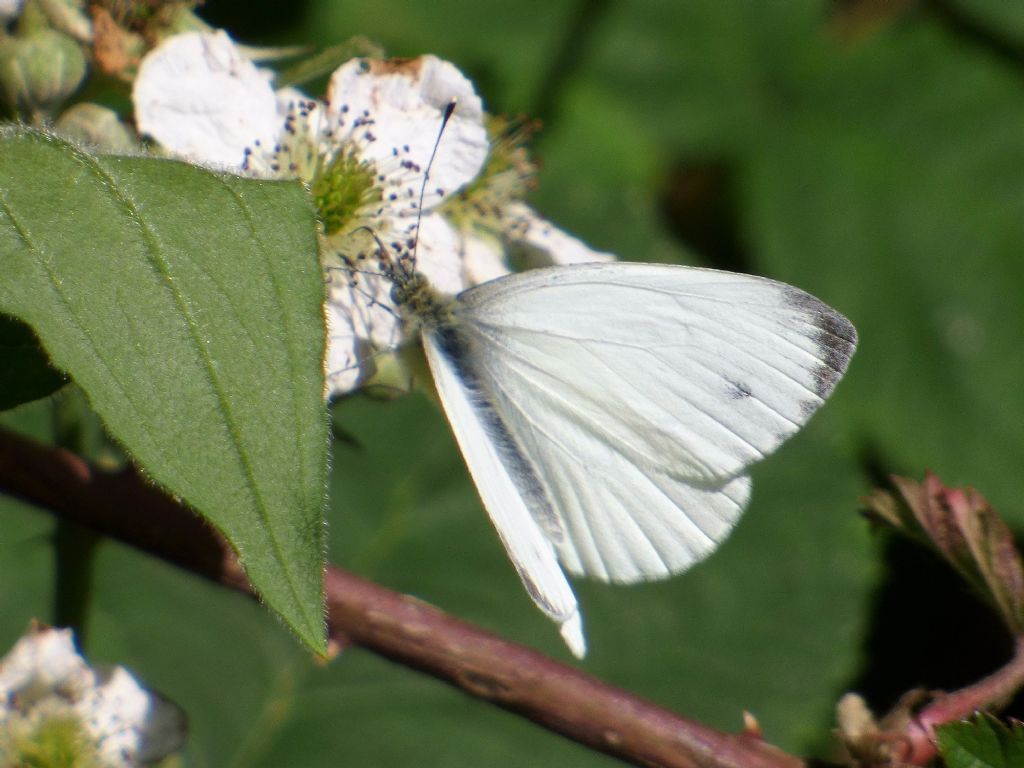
(401,628)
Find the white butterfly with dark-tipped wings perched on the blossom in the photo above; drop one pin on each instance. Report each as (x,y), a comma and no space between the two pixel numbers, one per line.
(608,413)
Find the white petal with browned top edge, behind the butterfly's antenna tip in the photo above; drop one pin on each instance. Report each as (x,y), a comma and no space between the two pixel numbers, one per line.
(399,106)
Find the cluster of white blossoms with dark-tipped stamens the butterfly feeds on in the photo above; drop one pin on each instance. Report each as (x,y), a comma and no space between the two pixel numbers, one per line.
(364,152)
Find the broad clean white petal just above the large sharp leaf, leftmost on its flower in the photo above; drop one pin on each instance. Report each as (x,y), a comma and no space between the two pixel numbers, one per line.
(200,98)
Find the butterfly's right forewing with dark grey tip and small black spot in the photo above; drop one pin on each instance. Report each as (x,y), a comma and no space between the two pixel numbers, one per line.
(696,373)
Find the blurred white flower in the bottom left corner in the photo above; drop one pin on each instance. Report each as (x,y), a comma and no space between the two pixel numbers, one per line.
(106,716)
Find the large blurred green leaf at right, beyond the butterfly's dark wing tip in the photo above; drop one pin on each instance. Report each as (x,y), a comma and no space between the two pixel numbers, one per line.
(906,210)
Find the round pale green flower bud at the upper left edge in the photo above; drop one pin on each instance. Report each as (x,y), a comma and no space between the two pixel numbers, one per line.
(39,71)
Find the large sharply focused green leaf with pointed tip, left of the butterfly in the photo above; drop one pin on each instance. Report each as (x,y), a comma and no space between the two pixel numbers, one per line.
(188,307)
